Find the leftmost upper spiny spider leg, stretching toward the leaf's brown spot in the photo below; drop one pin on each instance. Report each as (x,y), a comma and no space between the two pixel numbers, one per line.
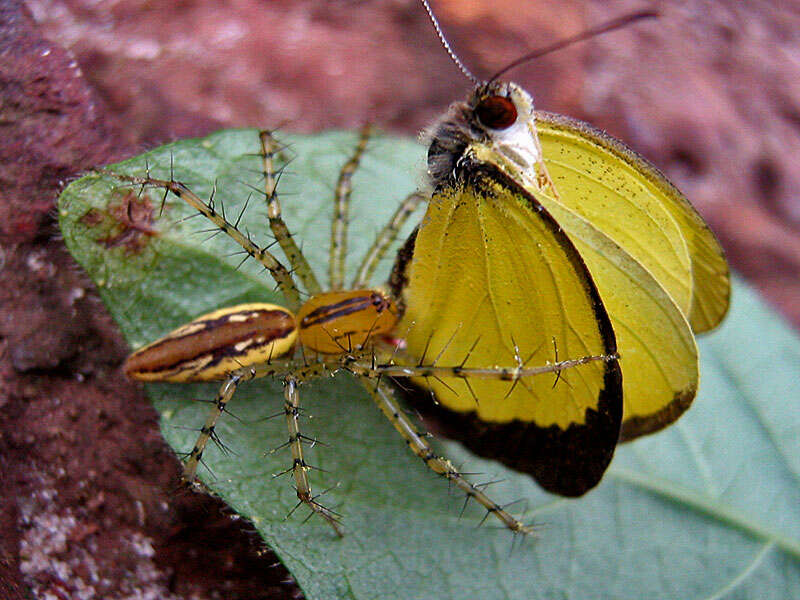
(281,275)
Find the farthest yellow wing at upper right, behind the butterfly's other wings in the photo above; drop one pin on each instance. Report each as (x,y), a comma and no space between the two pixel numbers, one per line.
(627,198)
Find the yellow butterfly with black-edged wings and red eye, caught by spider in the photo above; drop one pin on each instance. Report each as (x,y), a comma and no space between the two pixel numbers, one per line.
(547,239)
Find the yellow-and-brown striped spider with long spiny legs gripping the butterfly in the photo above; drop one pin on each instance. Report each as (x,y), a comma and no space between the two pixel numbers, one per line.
(342,327)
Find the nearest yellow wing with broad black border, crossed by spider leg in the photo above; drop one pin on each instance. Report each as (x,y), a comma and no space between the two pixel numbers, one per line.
(493,276)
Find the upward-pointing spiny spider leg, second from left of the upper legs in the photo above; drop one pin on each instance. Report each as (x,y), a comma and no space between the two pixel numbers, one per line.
(298,262)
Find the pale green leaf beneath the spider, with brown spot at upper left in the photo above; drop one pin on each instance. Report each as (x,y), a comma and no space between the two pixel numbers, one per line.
(709,508)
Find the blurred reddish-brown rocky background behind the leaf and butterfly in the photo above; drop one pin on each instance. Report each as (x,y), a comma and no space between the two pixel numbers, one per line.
(710,92)
